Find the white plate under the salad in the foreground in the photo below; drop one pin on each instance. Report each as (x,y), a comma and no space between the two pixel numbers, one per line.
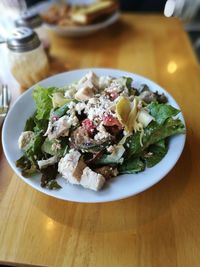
(117,188)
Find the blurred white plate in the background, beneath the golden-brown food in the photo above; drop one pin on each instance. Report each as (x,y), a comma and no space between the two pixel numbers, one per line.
(79,31)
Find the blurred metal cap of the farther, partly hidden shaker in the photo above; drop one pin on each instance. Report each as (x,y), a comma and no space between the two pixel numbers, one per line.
(29,19)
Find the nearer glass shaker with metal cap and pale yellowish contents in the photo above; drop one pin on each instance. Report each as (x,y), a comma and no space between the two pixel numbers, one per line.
(27,60)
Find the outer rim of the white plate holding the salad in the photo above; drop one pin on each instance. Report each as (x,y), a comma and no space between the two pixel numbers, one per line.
(49,193)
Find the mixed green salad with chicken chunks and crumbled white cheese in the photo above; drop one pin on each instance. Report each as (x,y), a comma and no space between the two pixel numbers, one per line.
(94,129)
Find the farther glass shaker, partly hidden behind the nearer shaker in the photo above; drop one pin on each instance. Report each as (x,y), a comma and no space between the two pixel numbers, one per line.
(34,21)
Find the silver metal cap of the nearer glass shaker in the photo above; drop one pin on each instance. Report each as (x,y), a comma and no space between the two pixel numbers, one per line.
(23,39)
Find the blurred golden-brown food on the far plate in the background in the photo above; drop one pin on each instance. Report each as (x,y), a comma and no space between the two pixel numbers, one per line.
(72,15)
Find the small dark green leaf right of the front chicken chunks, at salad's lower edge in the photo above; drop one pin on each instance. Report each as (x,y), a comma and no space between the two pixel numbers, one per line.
(132,165)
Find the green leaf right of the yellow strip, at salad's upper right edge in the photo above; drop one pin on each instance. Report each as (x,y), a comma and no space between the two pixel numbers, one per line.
(161,112)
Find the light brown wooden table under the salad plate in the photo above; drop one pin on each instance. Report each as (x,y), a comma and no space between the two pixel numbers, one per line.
(159,227)
